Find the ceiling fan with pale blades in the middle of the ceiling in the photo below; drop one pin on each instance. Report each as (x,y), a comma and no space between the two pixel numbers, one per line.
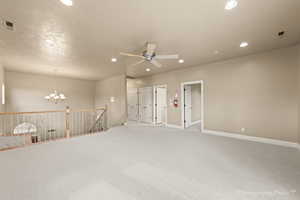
(149,55)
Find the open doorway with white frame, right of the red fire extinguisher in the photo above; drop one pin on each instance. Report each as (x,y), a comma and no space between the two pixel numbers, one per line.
(192,106)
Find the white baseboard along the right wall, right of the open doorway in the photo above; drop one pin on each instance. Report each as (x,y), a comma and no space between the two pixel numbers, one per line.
(252,138)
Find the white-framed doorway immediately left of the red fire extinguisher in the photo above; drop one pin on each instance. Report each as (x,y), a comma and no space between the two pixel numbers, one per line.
(160,105)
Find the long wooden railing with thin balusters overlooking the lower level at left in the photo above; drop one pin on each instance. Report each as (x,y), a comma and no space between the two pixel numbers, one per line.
(50,125)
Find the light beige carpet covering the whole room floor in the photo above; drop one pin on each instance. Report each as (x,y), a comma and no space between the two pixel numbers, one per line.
(150,163)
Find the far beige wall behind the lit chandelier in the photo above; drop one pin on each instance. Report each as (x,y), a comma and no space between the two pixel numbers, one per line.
(26,92)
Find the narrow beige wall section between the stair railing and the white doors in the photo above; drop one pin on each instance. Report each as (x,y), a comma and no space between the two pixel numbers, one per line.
(113,87)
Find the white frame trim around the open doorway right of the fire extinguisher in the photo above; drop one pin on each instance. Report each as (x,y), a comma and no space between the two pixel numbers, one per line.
(202,102)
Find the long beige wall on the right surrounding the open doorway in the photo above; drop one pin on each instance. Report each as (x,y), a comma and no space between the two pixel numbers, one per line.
(257,92)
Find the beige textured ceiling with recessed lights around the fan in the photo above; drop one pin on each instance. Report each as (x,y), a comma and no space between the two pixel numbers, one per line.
(79,41)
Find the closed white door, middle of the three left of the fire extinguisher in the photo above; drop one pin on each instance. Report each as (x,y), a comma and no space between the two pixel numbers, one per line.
(145,99)
